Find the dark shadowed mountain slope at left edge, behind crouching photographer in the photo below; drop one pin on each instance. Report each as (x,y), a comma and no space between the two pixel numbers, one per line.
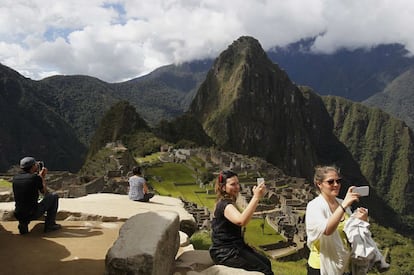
(30,127)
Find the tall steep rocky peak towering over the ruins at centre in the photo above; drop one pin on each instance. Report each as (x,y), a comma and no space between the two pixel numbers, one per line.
(248,100)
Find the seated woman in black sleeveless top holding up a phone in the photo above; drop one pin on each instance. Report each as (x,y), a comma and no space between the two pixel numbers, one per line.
(228,246)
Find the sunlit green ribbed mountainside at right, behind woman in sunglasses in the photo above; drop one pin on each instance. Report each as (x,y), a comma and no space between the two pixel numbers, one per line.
(383,147)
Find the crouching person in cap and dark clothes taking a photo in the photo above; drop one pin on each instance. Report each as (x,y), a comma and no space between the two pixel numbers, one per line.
(26,187)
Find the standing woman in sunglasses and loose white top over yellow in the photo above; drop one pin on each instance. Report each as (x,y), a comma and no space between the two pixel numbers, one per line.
(326,216)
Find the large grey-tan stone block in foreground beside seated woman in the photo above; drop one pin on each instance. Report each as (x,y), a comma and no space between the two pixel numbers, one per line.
(147,244)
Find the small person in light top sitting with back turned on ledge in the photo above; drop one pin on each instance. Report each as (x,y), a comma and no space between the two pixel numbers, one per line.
(138,188)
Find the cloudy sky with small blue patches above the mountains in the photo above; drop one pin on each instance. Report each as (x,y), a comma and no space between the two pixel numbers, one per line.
(120,40)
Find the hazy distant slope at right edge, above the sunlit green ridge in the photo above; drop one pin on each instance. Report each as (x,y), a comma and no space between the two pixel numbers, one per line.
(397,98)
